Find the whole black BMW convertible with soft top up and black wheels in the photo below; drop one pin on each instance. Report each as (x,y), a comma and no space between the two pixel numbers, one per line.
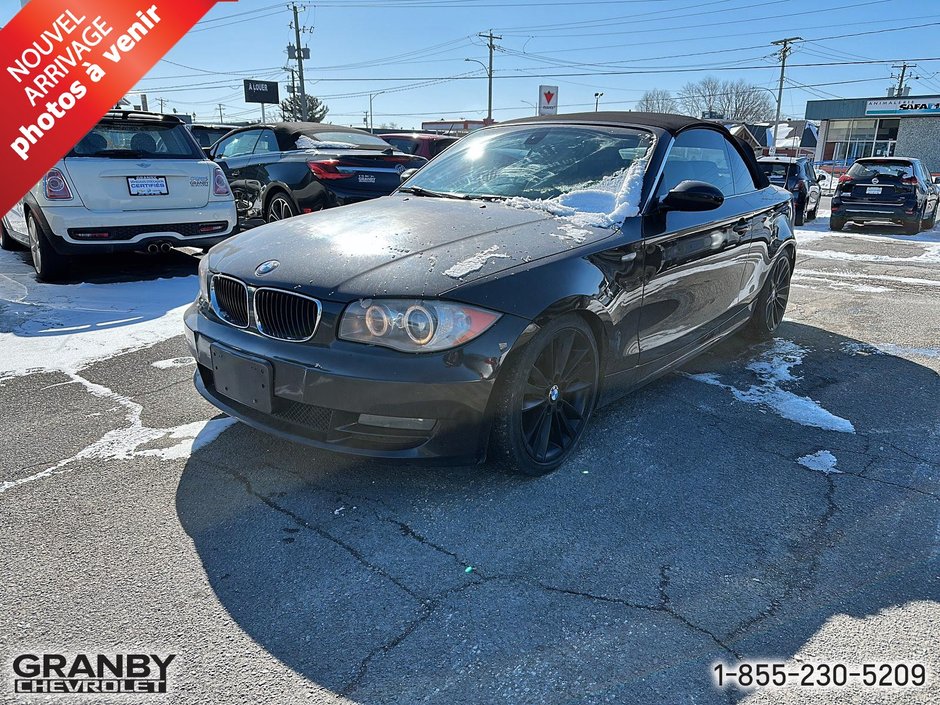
(534,270)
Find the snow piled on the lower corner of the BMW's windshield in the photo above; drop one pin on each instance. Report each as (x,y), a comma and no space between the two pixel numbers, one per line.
(602,205)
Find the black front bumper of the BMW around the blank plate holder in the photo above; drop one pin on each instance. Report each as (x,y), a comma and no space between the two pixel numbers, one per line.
(364,400)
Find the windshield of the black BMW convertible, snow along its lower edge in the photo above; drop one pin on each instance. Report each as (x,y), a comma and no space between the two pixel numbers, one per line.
(542,162)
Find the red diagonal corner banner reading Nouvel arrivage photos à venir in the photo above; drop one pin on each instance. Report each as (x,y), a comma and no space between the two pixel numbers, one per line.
(64,63)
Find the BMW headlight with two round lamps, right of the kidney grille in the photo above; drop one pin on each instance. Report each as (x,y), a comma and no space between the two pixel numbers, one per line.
(412,325)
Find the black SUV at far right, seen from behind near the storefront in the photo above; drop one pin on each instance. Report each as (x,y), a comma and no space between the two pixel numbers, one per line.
(894,189)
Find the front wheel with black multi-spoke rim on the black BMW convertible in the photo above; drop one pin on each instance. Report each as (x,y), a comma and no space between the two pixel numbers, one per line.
(546,396)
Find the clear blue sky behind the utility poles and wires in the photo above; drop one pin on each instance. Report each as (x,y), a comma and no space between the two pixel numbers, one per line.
(416,50)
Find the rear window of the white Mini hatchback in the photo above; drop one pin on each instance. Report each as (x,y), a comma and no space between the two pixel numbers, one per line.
(124,139)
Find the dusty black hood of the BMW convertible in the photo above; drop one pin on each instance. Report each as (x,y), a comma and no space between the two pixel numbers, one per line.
(399,245)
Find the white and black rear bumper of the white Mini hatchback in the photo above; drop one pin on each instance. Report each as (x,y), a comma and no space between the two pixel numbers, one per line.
(135,230)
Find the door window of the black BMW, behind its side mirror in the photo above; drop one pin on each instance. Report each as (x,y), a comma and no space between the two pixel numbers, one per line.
(698,155)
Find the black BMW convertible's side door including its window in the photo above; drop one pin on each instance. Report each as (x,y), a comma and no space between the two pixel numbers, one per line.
(695,262)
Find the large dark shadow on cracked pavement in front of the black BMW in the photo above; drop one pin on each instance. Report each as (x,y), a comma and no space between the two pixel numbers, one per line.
(694,525)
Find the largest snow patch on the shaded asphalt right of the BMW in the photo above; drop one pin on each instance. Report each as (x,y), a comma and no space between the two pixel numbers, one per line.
(773,368)
